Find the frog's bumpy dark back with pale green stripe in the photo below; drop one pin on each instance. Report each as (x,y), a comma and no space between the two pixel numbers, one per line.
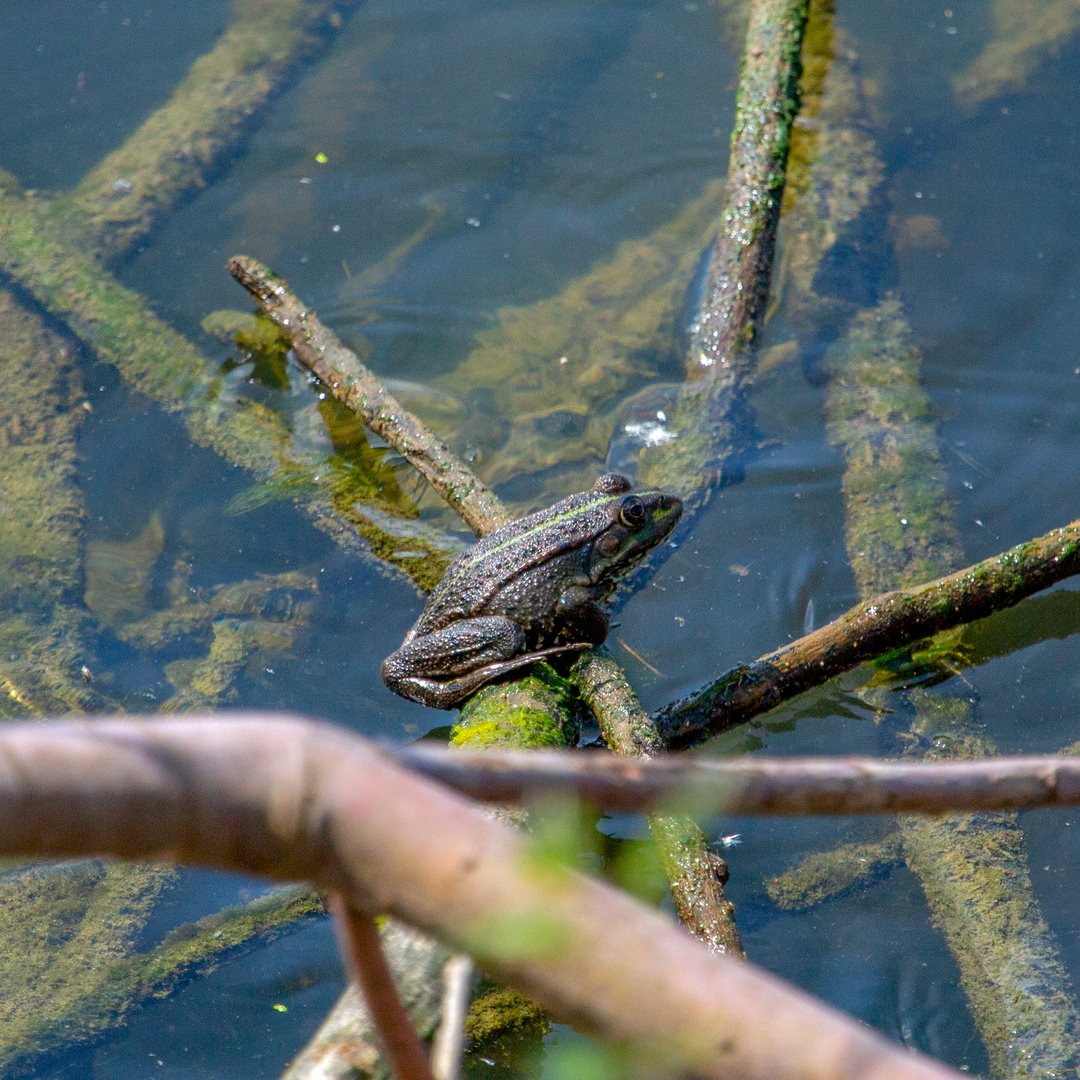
(476,578)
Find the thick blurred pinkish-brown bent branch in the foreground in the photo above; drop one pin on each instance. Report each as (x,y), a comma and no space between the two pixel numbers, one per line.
(290,800)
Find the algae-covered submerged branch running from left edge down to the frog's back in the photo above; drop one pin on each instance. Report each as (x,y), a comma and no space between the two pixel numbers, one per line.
(160,363)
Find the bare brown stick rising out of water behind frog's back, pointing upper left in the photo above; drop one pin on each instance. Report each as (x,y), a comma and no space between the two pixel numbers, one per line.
(340,369)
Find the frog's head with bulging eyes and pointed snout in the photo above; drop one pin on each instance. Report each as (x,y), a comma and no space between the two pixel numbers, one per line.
(639,521)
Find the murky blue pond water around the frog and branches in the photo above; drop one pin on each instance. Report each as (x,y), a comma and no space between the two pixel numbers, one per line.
(434,165)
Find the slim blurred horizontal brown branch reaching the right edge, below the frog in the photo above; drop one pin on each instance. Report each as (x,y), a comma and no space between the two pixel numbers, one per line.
(790,787)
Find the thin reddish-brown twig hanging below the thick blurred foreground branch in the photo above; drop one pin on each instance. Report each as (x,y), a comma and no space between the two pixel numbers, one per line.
(363,952)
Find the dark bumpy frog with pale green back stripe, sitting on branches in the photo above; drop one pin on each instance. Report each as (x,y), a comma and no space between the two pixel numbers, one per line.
(532,590)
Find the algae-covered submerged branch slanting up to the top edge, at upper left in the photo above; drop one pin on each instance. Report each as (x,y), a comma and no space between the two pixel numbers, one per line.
(177,148)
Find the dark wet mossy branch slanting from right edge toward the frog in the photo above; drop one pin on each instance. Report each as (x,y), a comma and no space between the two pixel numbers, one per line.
(876,627)
